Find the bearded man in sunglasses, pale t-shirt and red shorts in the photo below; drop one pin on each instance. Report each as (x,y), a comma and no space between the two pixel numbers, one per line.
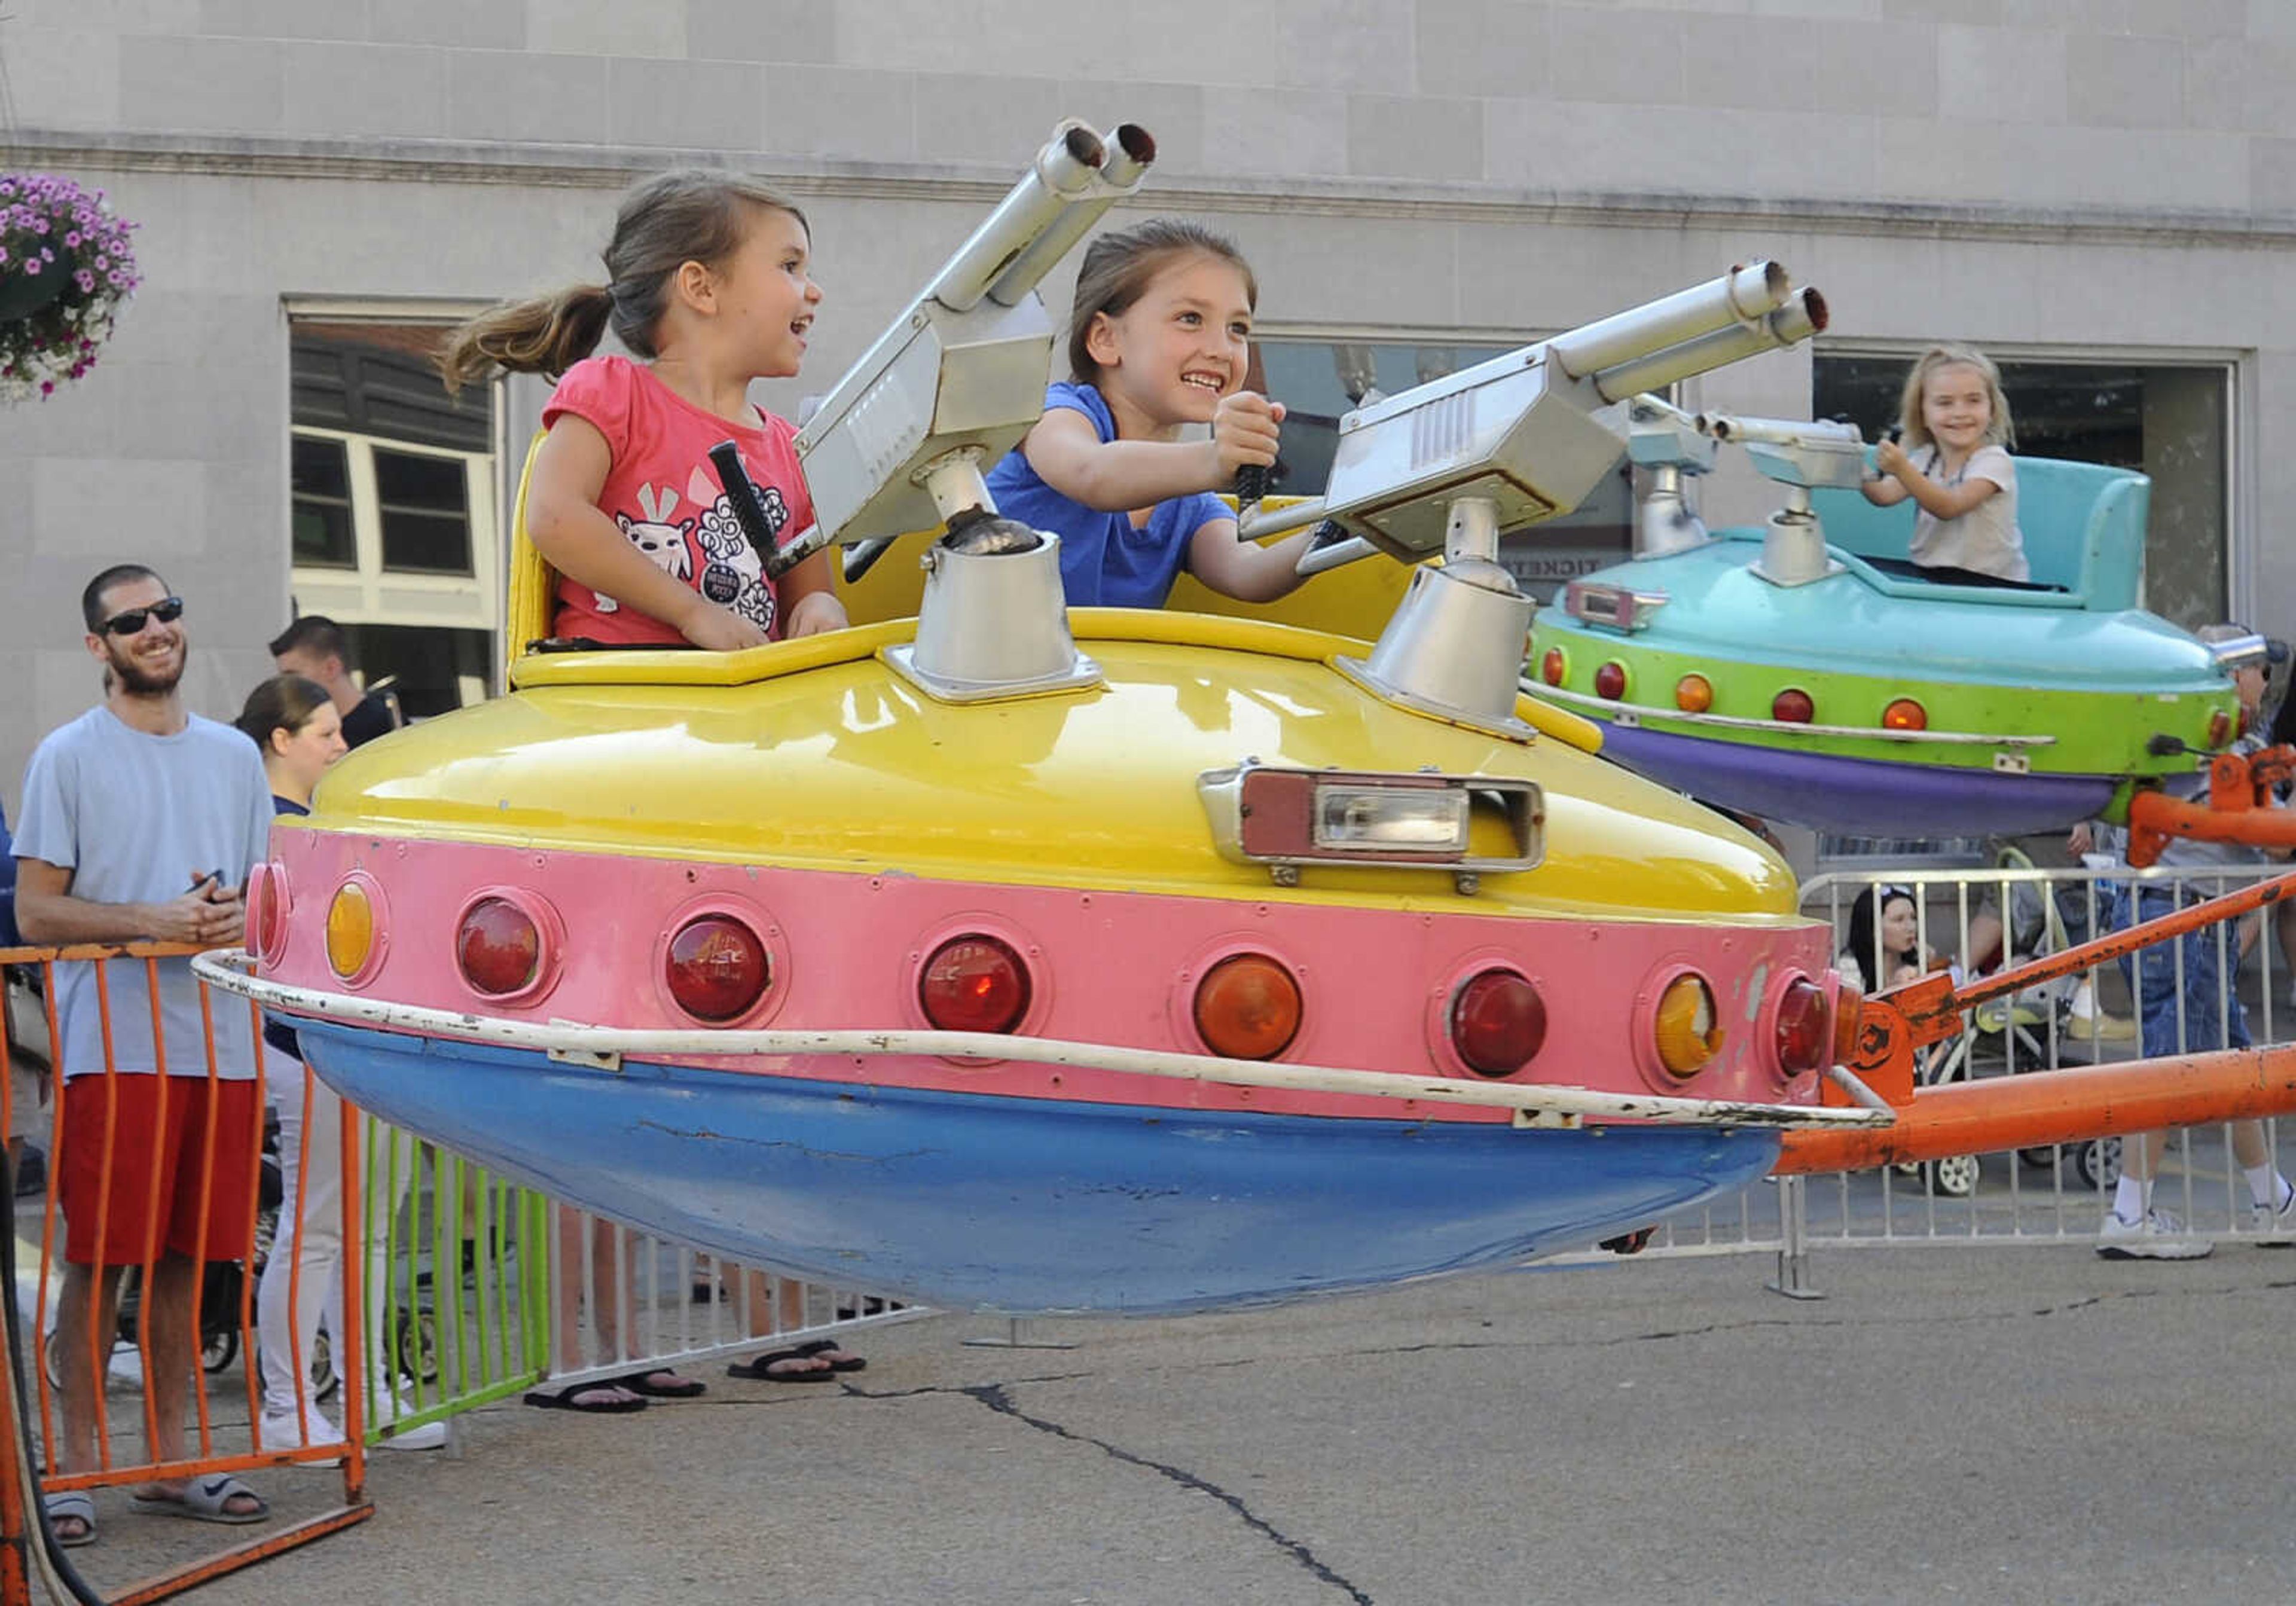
(141,824)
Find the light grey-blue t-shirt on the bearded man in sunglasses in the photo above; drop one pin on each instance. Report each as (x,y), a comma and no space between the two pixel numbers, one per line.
(134,817)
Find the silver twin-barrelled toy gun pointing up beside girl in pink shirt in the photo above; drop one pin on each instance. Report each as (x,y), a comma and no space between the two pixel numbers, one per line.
(961,376)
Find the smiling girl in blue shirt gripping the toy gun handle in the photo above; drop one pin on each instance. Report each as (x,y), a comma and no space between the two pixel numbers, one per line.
(1161,339)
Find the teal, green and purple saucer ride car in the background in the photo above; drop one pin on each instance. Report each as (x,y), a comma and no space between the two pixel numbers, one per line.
(1810,672)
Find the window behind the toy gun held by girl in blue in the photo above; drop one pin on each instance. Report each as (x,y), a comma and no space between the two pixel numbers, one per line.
(1324,380)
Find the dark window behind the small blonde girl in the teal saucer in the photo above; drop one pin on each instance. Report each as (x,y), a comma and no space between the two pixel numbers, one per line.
(2162,419)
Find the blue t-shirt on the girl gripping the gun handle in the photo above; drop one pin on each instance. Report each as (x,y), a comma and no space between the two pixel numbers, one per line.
(1103,559)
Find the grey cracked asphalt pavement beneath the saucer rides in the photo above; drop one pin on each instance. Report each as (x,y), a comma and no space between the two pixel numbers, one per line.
(1950,1423)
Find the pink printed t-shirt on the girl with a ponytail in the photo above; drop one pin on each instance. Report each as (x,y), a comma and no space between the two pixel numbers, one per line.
(667,497)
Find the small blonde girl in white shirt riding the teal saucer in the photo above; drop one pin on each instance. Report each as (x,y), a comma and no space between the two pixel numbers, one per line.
(1955,465)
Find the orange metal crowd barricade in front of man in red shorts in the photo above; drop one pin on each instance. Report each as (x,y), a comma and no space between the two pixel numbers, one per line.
(153,1290)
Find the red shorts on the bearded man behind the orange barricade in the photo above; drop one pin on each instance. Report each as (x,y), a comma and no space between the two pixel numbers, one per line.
(148,1161)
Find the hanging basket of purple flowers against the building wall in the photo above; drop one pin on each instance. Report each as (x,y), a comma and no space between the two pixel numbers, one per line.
(65,272)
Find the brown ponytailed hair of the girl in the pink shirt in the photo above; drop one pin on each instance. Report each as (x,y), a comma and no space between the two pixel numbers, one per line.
(685,215)
